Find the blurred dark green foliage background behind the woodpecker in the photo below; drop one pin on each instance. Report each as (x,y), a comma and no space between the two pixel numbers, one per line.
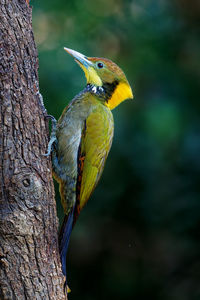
(139,235)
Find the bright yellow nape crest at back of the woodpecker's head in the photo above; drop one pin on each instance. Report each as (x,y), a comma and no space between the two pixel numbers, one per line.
(122,92)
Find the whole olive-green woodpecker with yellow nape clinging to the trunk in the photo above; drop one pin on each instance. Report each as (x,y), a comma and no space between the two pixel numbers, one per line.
(81,139)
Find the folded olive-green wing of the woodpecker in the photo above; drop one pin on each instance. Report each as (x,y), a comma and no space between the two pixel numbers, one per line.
(95,144)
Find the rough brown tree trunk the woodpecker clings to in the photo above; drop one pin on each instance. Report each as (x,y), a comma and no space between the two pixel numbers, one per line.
(29,261)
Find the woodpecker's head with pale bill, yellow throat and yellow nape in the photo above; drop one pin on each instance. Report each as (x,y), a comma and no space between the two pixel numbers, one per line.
(104,75)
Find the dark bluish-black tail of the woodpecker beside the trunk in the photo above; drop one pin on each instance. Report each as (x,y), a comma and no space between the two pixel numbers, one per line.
(64,237)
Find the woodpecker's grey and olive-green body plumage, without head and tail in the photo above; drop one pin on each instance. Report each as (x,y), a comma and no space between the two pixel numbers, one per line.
(85,130)
